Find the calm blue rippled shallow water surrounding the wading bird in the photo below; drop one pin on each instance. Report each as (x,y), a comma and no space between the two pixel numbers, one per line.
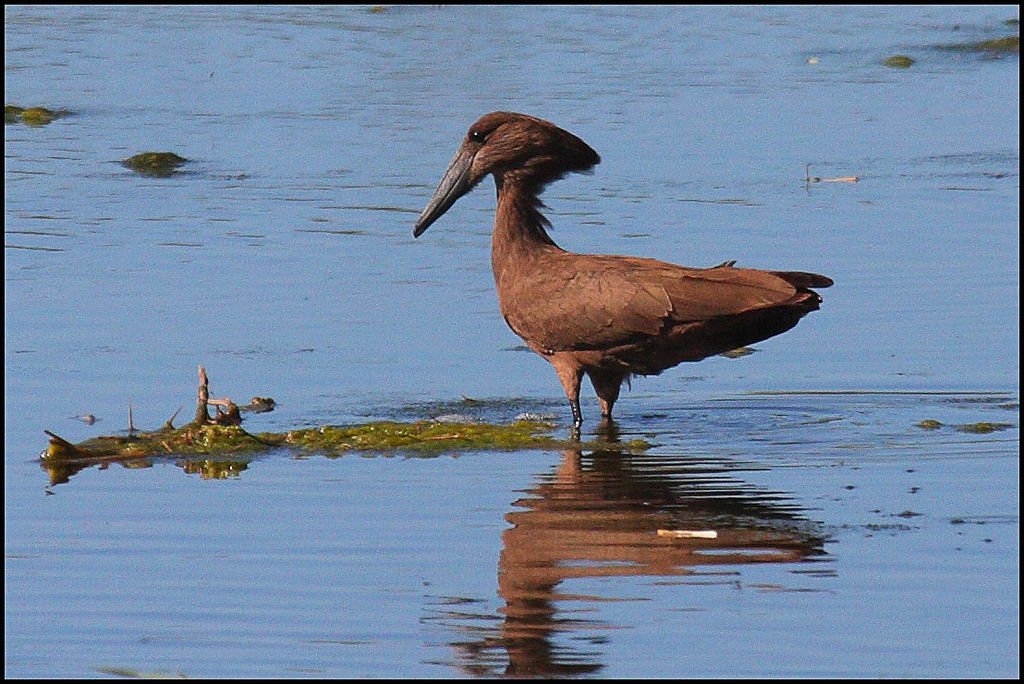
(850,541)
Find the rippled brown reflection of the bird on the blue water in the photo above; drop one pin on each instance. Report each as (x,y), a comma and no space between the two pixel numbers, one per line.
(599,517)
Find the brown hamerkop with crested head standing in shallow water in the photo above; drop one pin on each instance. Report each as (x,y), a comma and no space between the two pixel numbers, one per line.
(608,317)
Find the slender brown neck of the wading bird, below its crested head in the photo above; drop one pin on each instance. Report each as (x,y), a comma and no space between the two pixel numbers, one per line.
(521,233)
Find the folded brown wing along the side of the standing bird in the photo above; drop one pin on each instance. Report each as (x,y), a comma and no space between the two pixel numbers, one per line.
(599,302)
